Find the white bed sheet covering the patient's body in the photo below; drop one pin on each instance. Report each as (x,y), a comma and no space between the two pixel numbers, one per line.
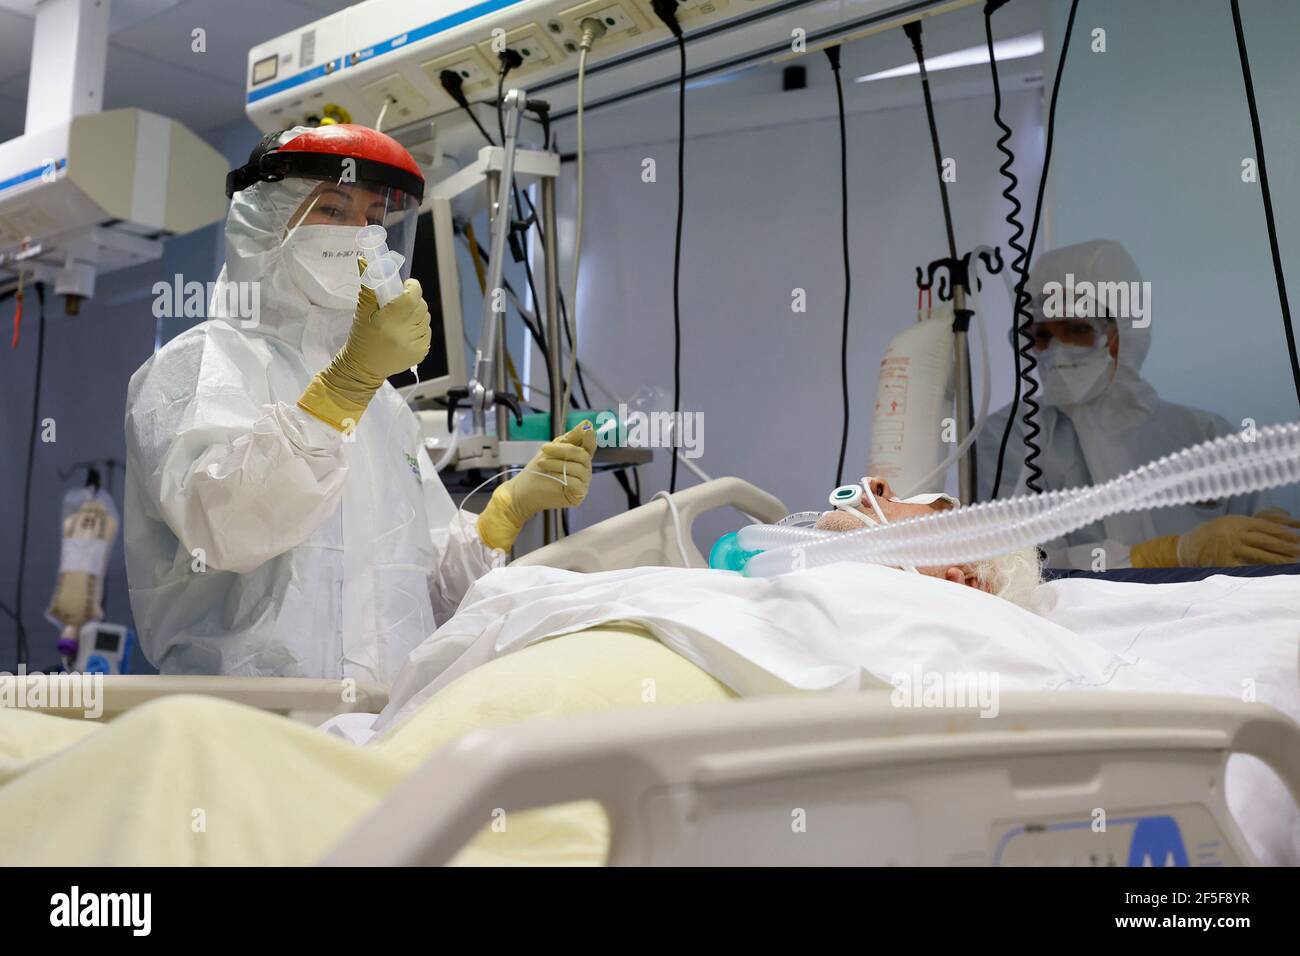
(848,626)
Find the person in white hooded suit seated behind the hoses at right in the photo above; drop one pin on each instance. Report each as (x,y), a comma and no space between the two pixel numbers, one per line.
(1100,419)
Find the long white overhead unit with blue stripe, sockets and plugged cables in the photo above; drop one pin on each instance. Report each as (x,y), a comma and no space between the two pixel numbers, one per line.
(391,55)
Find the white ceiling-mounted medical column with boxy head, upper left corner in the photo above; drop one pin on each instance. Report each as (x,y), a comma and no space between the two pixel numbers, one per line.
(85,192)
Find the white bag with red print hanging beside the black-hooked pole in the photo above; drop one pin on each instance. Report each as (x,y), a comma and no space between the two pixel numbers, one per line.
(915,396)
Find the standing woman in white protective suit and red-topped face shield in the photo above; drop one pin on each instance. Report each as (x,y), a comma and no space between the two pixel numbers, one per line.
(283,517)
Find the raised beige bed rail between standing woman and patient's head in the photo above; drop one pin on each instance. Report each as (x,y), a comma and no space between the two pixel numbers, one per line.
(645,535)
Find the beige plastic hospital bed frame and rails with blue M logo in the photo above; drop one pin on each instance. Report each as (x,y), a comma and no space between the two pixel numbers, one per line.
(1089,778)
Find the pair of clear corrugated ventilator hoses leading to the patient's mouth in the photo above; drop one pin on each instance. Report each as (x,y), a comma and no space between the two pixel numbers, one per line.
(1216,469)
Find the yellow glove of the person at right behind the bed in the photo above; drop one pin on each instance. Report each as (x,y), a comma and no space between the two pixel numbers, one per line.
(1228,542)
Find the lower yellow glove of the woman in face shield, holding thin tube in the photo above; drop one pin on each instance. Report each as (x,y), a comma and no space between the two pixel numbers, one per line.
(558,477)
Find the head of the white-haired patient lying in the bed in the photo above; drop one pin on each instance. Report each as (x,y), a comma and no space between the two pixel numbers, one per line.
(1013,577)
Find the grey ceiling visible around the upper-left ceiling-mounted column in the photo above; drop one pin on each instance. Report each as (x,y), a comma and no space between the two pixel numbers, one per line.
(150,59)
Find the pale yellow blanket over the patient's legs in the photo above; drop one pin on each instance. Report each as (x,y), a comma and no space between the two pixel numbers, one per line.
(194,781)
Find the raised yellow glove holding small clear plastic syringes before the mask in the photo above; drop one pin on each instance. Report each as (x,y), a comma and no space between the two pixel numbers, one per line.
(383,343)
